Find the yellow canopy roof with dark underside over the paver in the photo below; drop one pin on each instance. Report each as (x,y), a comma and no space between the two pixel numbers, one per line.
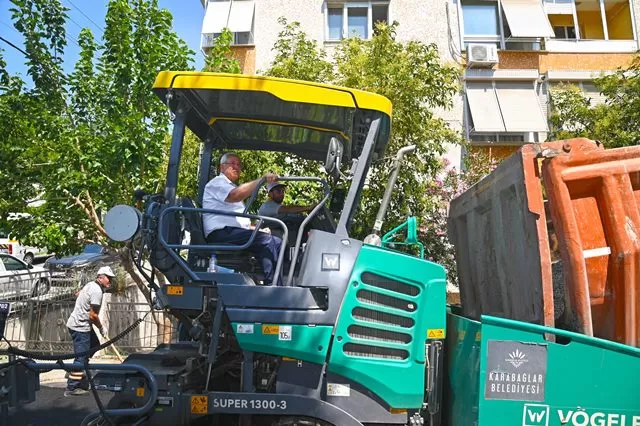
(267,113)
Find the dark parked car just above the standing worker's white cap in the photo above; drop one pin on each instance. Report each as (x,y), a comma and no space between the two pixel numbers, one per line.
(79,267)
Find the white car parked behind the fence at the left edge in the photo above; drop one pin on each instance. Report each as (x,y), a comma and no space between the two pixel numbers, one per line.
(19,280)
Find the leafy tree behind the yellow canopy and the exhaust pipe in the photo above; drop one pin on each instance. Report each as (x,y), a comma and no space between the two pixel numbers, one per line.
(416,81)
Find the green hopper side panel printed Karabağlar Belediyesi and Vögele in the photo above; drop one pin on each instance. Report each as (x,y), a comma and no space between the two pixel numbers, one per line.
(585,381)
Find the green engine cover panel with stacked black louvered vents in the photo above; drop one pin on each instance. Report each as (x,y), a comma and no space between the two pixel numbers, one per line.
(390,304)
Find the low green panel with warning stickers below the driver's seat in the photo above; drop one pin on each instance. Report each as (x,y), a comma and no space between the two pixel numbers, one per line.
(303,342)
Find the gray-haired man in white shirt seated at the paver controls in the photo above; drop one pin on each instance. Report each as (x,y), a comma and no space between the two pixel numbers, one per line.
(221,193)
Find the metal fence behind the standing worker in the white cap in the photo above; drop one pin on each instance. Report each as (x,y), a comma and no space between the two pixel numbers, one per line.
(37,321)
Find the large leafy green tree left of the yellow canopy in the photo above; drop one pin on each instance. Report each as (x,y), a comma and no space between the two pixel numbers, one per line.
(82,142)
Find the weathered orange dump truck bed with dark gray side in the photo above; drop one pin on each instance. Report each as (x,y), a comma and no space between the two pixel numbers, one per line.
(503,250)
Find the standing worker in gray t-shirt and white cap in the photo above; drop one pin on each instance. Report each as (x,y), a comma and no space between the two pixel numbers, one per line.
(85,313)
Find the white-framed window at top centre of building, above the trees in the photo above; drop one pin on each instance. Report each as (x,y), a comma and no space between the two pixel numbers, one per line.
(354,19)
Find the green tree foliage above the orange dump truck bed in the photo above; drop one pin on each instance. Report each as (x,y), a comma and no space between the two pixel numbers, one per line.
(615,123)
